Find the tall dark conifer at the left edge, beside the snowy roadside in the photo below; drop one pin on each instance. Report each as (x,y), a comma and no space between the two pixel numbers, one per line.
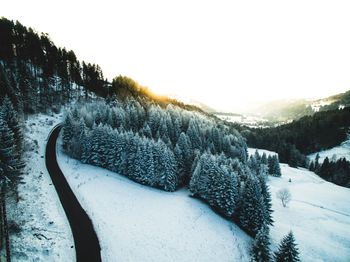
(11,138)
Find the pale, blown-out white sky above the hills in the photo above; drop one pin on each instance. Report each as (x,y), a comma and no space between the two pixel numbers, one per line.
(223,53)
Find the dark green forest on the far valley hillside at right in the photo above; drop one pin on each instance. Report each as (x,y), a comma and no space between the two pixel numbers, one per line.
(301,137)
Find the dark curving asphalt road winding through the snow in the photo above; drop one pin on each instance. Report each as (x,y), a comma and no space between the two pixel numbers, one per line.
(86,243)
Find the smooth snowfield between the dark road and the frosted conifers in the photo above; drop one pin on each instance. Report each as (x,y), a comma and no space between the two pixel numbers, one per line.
(139,223)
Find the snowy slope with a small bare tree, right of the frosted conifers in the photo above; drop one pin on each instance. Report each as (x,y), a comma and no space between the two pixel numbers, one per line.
(318,214)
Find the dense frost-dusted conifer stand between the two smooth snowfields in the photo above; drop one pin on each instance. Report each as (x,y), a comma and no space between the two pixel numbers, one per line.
(171,147)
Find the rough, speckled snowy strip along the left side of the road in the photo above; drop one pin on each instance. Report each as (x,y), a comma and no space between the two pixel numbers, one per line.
(44,230)
